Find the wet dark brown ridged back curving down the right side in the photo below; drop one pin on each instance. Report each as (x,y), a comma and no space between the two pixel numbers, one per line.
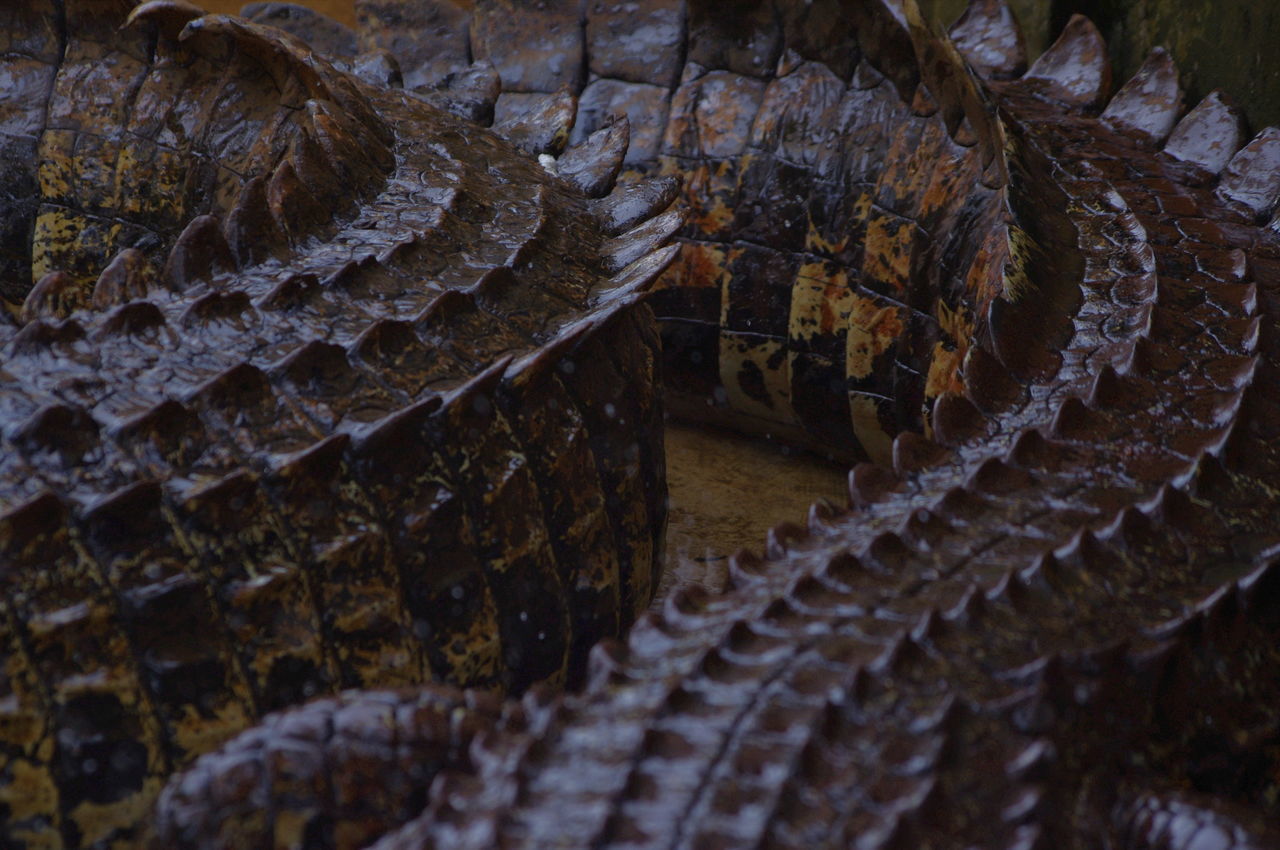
(1030,630)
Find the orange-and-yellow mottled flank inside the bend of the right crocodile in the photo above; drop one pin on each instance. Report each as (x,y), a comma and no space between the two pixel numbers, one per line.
(870,316)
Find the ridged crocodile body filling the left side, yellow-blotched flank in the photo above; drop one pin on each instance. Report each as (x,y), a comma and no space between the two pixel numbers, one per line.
(313,386)
